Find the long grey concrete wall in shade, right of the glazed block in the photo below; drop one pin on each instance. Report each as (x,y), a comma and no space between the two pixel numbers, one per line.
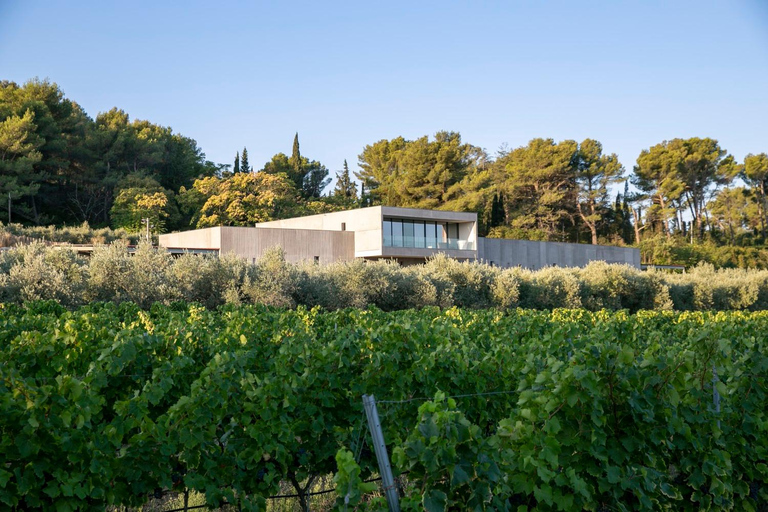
(536,255)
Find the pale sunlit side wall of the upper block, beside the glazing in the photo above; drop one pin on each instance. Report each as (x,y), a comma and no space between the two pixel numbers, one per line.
(365,222)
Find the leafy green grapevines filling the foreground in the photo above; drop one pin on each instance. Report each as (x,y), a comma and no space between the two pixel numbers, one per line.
(566,410)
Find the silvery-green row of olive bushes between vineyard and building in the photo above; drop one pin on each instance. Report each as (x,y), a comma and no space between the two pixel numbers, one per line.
(38,272)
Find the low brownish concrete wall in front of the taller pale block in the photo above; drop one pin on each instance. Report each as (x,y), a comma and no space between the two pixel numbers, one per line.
(298,244)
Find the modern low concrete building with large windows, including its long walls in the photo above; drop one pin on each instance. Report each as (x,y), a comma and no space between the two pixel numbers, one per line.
(407,235)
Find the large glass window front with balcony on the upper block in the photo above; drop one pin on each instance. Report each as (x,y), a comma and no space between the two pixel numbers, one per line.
(423,234)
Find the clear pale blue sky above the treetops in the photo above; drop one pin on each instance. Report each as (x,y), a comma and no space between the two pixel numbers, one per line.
(346,74)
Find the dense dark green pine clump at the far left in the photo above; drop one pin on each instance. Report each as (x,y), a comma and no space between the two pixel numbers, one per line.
(62,167)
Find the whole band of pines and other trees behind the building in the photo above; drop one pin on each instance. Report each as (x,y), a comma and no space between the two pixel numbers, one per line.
(691,200)
